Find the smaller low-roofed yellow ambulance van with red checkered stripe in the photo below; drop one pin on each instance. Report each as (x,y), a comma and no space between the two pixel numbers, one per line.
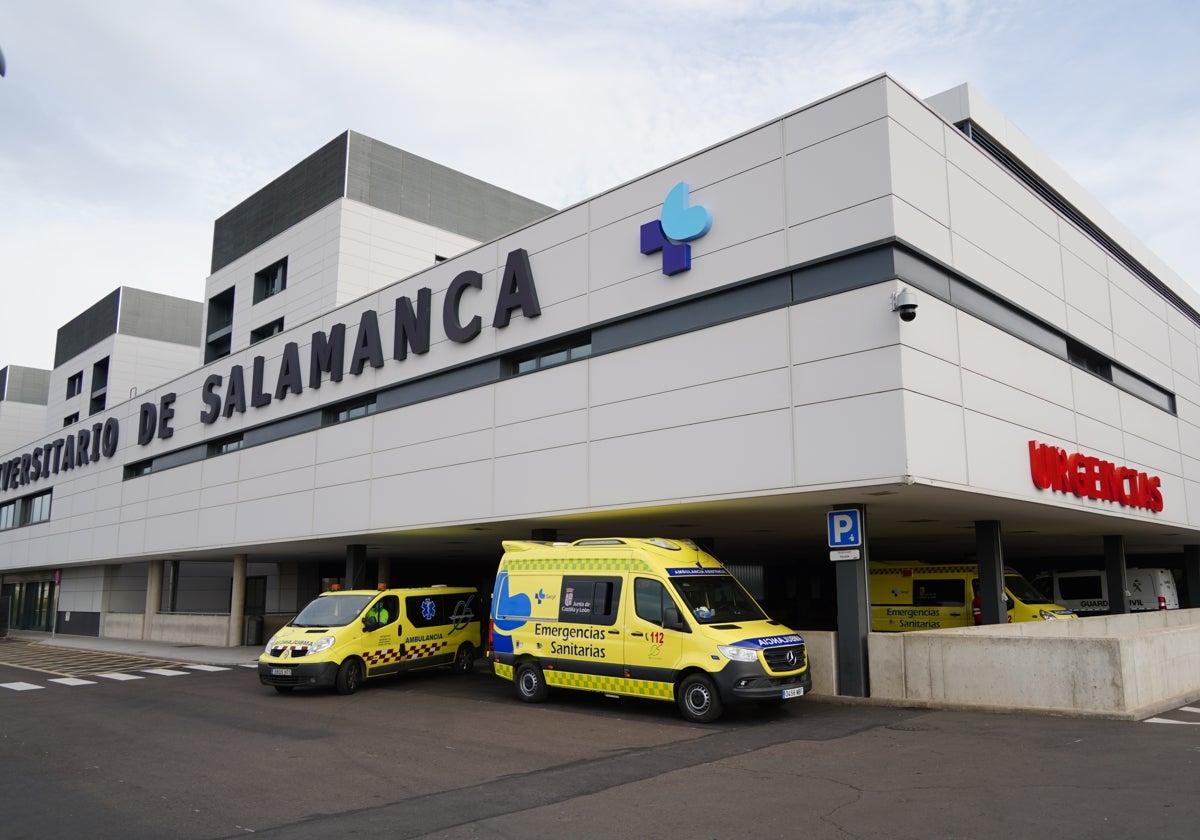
(344,638)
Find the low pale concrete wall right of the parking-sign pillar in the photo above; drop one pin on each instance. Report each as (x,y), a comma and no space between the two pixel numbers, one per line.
(1120,667)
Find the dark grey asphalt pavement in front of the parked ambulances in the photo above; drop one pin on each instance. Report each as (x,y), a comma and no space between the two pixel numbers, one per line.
(213,754)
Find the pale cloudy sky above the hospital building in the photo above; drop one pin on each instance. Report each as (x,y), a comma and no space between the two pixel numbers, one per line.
(128,128)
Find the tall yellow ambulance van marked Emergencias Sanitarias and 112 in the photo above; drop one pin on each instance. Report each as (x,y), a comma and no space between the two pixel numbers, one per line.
(643,619)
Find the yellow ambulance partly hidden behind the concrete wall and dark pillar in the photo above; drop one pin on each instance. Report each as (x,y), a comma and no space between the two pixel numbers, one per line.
(914,596)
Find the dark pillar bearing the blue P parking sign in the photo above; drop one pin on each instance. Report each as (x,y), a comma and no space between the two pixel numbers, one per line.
(848,544)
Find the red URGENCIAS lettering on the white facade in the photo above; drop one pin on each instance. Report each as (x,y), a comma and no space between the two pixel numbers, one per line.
(1093,478)
